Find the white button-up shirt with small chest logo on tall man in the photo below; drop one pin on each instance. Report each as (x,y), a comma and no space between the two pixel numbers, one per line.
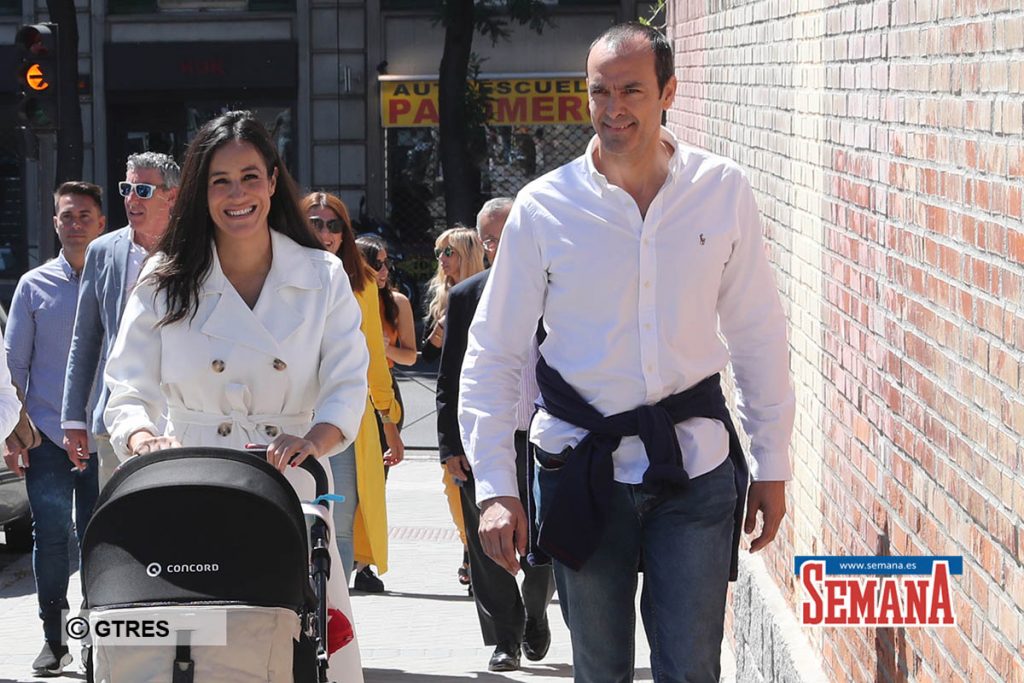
(633,308)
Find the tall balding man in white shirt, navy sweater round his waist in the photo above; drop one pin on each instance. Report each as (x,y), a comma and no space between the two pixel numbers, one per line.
(636,255)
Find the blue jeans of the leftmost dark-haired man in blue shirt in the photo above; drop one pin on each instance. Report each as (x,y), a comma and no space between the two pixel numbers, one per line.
(53,489)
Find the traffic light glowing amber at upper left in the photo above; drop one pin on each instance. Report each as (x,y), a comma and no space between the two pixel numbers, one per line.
(38,76)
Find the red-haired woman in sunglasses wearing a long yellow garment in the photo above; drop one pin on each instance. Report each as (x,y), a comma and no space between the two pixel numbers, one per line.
(360,471)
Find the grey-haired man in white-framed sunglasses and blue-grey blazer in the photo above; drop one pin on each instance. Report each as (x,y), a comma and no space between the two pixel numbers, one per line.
(113,264)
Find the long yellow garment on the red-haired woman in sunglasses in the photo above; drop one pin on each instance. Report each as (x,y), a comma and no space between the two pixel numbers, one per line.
(370,526)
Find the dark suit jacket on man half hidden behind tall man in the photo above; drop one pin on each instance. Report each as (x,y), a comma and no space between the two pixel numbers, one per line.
(463,300)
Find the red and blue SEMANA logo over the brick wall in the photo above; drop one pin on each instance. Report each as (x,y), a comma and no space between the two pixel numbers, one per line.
(878,591)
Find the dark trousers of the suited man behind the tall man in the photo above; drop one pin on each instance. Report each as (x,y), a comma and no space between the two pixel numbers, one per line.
(502,610)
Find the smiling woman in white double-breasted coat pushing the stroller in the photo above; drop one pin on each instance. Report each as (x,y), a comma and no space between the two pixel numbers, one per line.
(242,330)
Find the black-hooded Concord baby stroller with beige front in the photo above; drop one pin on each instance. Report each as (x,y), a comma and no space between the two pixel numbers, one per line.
(216,539)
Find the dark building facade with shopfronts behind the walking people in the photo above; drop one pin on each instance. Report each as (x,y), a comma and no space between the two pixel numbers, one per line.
(154,71)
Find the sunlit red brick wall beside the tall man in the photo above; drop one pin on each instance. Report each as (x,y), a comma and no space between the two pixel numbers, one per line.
(884,140)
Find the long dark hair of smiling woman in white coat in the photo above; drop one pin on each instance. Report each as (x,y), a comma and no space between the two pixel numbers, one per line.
(188,243)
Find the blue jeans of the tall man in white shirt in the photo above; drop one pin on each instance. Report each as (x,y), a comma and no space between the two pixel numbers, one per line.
(685,544)
